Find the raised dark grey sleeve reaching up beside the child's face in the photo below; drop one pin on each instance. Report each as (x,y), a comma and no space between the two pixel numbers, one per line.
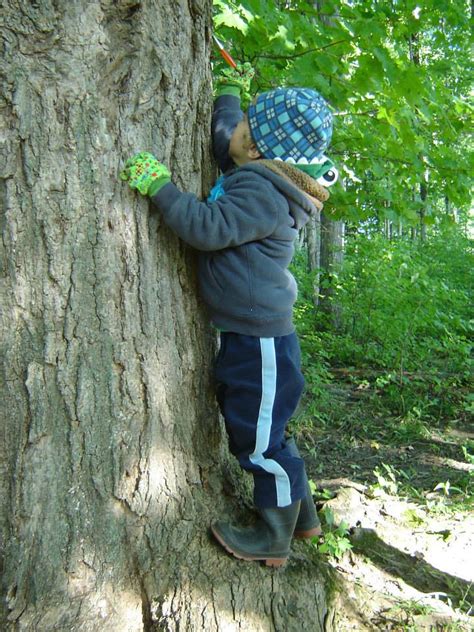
(227,114)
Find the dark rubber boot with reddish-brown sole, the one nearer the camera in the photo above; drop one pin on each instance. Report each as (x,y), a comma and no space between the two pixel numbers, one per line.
(267,541)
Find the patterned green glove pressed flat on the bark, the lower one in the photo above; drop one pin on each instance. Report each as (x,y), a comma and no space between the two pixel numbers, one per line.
(144,173)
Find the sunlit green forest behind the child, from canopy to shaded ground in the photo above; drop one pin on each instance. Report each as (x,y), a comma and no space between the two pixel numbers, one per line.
(386,329)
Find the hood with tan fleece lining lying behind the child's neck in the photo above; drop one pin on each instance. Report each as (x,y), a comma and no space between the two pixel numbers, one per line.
(305,196)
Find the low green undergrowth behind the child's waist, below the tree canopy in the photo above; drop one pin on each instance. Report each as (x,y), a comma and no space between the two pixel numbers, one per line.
(406,315)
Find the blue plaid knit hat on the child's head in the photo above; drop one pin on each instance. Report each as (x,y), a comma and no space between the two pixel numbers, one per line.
(291,124)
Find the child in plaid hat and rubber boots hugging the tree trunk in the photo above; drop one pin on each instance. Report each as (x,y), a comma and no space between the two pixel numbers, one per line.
(245,234)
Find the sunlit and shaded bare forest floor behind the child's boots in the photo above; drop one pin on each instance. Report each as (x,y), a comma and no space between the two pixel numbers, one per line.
(405,493)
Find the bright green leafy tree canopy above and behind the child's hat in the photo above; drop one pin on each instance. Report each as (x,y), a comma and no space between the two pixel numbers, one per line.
(396,74)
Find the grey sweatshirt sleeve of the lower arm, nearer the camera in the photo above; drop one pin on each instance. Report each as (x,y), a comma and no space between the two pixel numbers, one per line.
(226,222)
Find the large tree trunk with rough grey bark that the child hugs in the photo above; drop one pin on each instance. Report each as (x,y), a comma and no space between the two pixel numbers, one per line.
(113,458)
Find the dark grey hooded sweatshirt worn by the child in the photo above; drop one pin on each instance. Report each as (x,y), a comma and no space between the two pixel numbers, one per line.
(245,241)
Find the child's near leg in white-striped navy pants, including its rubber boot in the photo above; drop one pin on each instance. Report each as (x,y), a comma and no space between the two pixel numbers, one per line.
(259,385)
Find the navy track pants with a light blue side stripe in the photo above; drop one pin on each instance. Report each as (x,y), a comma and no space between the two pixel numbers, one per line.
(259,384)
